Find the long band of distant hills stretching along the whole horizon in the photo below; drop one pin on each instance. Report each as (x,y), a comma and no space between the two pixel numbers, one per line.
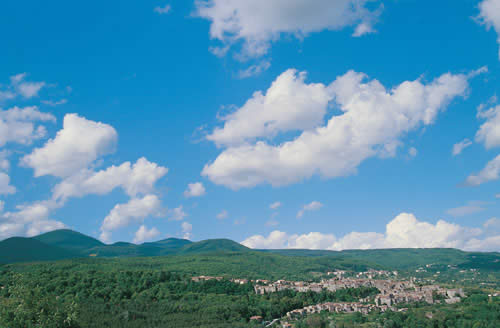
(64,244)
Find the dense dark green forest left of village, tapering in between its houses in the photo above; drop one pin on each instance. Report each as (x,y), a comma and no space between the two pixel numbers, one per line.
(125,293)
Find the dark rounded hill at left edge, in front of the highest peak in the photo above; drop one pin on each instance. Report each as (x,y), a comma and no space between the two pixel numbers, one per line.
(19,249)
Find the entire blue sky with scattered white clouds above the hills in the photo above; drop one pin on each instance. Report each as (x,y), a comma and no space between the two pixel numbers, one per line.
(348,124)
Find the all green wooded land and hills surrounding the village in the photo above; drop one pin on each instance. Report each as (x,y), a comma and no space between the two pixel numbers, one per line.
(128,285)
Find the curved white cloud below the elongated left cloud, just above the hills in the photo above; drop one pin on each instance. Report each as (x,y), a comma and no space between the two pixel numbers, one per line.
(135,210)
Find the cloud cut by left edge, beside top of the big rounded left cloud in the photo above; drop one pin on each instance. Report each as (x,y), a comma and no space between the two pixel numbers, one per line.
(18,125)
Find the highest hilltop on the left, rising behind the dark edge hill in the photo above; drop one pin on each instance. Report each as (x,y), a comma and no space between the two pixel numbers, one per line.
(69,239)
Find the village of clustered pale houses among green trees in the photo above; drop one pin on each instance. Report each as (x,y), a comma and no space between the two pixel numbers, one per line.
(392,292)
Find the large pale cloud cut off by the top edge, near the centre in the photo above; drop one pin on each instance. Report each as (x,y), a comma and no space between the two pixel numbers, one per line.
(259,22)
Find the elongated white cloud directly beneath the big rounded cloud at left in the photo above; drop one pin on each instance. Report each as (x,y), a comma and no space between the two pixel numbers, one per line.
(137,178)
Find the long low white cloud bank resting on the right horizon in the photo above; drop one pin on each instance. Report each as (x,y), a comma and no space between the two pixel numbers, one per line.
(404,231)
